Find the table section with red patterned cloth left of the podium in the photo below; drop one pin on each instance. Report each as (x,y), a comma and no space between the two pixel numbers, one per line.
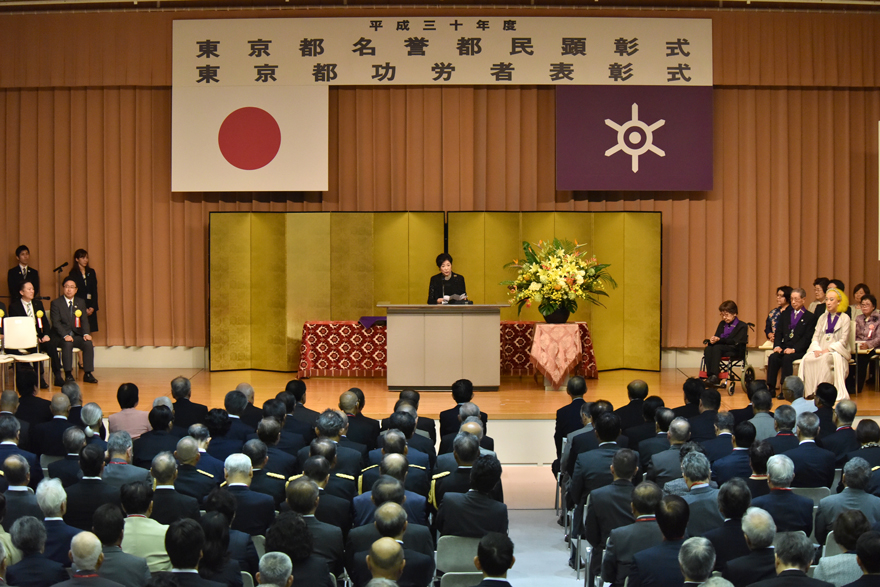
(342,349)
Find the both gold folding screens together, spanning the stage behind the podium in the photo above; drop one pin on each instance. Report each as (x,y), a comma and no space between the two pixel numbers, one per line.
(271,272)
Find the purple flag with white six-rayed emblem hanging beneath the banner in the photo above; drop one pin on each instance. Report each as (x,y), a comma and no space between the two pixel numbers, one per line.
(634,138)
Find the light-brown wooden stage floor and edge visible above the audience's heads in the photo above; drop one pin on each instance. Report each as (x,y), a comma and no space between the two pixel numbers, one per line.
(519,398)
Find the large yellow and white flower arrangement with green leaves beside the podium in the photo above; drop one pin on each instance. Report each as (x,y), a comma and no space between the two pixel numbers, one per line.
(556,275)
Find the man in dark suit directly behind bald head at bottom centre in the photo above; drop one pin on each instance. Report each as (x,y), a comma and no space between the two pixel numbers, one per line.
(391,522)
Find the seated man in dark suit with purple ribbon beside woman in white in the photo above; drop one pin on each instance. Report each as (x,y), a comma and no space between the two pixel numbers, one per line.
(794,332)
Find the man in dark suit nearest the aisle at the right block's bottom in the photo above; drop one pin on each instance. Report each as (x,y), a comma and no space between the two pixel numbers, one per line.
(624,542)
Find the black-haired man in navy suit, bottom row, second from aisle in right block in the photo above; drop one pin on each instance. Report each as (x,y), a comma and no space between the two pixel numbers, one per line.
(658,566)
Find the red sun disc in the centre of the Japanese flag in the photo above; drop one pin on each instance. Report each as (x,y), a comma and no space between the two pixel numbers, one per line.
(249,138)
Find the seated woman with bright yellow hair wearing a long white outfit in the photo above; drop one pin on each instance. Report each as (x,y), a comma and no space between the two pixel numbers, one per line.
(827,358)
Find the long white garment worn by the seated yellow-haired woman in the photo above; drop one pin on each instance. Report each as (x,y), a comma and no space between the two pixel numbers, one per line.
(815,370)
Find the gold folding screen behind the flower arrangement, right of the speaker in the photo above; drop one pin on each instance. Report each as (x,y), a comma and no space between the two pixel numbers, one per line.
(626,332)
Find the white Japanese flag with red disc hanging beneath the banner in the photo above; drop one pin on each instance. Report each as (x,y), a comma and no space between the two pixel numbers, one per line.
(246,138)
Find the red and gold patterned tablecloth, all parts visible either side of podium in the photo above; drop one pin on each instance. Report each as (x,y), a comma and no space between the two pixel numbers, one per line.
(347,349)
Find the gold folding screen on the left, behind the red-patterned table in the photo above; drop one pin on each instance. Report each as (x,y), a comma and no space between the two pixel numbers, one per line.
(271,272)
